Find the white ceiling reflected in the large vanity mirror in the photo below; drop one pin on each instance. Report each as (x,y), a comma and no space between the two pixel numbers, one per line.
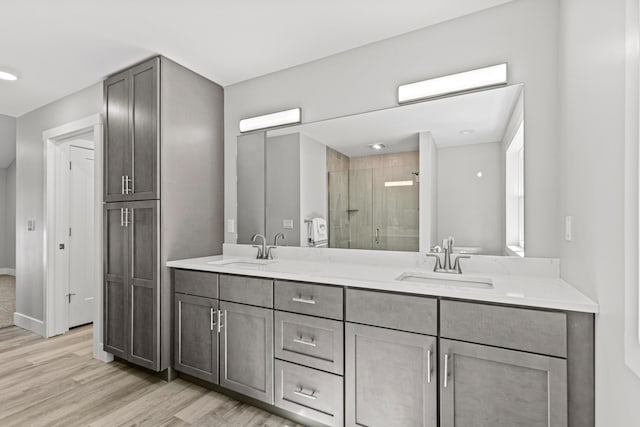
(486,113)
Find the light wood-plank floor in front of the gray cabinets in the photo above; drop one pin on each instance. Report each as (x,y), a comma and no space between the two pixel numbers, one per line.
(56,382)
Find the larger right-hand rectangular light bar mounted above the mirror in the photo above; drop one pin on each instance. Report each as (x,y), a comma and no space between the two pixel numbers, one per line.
(495,75)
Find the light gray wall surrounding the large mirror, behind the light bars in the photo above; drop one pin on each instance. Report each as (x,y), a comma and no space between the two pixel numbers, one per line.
(523,33)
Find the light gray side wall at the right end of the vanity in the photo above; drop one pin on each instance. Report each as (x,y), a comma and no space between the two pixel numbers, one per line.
(592,130)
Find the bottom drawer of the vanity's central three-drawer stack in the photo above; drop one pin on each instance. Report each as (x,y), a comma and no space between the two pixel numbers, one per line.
(312,394)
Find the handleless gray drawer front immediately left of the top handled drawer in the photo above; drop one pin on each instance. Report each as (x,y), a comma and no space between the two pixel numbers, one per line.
(247,290)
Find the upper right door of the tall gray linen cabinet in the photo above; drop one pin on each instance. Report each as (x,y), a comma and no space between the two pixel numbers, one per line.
(144,122)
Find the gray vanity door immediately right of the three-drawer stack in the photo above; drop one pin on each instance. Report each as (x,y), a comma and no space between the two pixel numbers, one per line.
(390,378)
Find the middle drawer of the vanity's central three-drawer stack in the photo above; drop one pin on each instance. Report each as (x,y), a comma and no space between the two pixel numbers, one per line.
(310,341)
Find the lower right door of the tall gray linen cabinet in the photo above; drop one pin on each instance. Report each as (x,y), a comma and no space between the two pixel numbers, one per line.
(144,283)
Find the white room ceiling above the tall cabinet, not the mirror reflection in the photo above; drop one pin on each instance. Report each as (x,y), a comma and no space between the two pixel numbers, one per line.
(58,47)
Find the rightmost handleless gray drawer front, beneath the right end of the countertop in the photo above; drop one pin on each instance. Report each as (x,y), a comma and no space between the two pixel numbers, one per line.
(543,332)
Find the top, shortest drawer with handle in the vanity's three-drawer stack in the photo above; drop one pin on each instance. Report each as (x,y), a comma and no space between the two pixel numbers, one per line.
(307,298)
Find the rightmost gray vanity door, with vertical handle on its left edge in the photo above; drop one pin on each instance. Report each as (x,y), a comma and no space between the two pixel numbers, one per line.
(494,387)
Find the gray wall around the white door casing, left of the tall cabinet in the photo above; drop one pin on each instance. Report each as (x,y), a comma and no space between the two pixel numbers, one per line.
(30,190)
